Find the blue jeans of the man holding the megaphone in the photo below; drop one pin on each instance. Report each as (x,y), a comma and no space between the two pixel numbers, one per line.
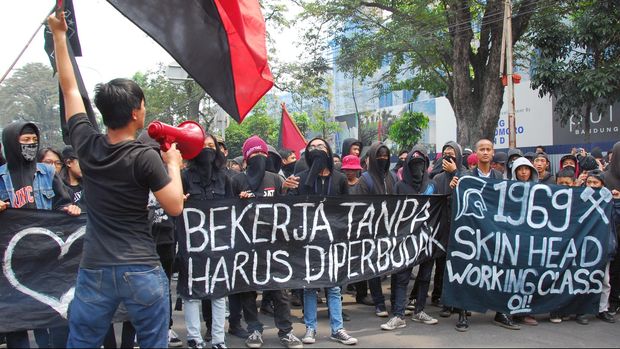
(144,291)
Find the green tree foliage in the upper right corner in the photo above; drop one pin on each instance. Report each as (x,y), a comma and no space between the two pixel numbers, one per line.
(578,56)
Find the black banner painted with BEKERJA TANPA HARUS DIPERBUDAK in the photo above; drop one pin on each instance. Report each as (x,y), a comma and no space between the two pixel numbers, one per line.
(232,246)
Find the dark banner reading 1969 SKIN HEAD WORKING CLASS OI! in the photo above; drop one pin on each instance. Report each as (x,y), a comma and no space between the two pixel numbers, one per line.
(526,248)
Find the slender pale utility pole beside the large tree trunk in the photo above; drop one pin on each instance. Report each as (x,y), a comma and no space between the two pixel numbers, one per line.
(507,61)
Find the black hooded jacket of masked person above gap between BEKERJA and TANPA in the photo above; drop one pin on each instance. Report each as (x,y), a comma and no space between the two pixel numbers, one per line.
(334,184)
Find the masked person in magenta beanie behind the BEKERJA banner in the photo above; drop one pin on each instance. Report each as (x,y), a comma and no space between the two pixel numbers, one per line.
(257,182)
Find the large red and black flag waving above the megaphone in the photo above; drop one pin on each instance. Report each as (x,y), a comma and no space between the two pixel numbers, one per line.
(219,43)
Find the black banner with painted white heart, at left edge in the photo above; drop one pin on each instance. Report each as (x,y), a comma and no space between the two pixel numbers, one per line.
(41,252)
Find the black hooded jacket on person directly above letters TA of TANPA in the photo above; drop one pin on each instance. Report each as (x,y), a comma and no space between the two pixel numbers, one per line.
(383,181)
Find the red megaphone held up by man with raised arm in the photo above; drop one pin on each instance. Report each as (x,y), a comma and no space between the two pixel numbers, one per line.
(189,137)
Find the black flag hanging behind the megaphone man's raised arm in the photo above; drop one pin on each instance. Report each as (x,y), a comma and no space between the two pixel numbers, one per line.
(75,49)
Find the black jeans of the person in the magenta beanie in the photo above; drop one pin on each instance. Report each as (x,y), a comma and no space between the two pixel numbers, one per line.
(281,311)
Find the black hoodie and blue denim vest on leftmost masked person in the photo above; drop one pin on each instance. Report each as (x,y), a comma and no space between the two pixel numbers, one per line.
(28,184)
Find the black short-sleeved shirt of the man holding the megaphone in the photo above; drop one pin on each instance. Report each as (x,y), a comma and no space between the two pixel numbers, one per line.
(116,180)
